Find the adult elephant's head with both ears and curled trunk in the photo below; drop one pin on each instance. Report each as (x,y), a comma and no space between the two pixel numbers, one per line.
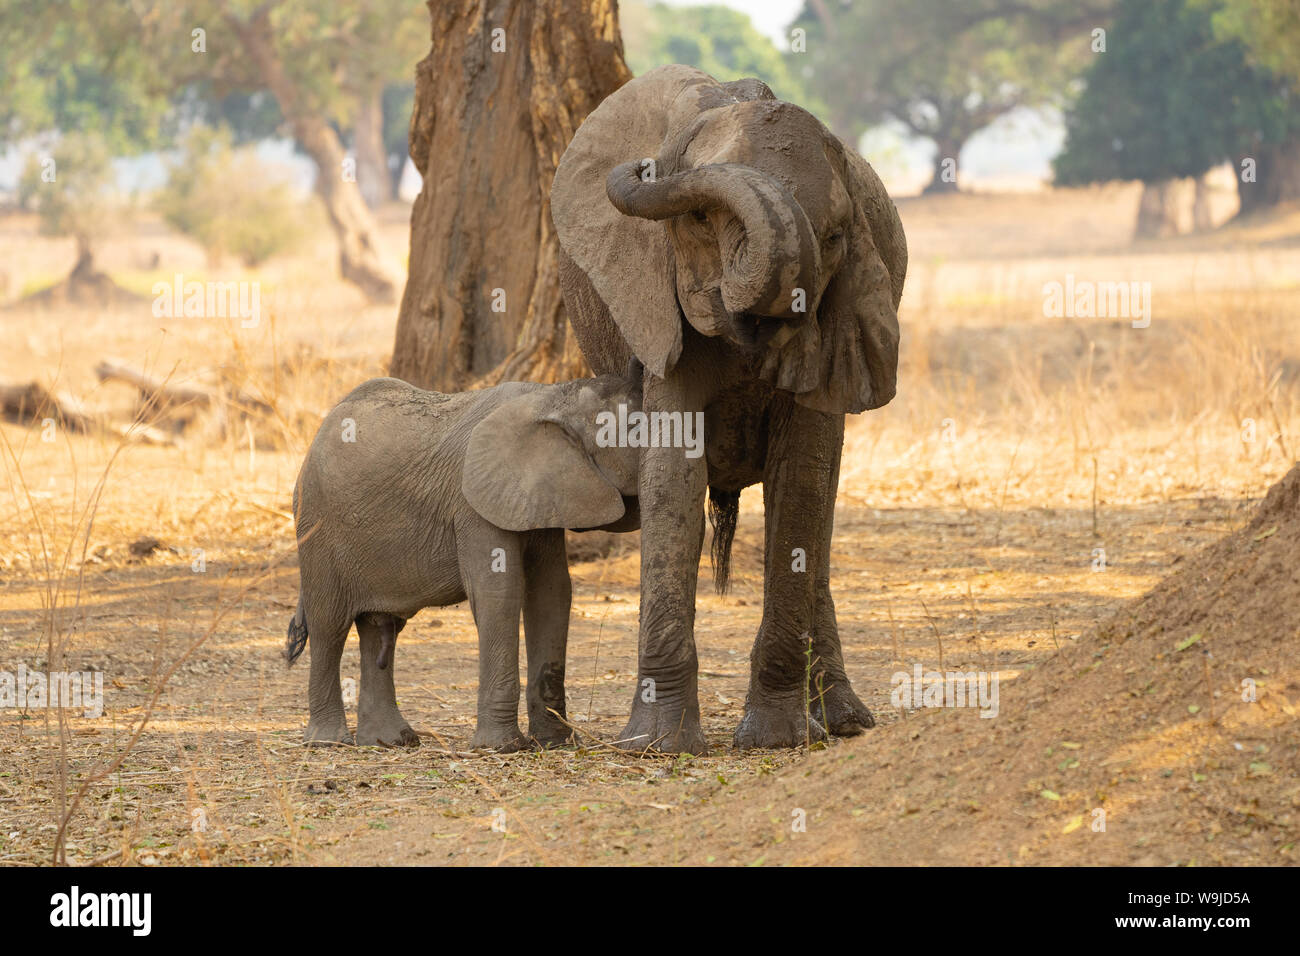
(682,197)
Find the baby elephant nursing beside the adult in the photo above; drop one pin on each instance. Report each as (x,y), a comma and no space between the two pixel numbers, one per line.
(413,499)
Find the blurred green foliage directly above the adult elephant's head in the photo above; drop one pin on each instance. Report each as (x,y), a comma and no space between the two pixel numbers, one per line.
(713,38)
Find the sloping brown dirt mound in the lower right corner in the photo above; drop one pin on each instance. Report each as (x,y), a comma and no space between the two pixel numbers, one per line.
(1173,724)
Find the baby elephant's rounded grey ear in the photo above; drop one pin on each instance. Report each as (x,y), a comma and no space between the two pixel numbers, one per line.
(523,473)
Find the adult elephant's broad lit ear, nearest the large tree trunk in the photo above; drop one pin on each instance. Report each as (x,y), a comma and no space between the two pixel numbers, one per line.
(627,261)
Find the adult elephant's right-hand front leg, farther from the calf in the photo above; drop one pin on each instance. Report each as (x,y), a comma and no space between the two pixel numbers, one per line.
(799,500)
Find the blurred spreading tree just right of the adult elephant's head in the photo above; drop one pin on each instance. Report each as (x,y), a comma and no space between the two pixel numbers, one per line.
(943,71)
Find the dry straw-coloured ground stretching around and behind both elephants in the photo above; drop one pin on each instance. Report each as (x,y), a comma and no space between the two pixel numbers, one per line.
(968,534)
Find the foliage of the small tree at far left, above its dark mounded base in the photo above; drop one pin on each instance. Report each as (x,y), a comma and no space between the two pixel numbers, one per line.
(72,189)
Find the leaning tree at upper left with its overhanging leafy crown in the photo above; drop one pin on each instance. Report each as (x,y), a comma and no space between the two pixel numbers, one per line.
(137,71)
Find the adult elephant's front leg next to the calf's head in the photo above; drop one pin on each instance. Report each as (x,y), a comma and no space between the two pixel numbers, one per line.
(671,487)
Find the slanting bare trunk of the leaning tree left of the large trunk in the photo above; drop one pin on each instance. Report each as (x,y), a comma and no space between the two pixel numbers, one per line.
(361,262)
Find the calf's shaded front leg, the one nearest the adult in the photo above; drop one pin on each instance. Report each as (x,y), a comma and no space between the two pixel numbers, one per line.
(548,598)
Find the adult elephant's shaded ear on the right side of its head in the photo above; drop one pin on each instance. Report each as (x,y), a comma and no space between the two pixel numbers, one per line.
(848,360)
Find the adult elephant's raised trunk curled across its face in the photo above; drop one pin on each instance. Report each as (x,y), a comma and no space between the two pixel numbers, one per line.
(773,253)
